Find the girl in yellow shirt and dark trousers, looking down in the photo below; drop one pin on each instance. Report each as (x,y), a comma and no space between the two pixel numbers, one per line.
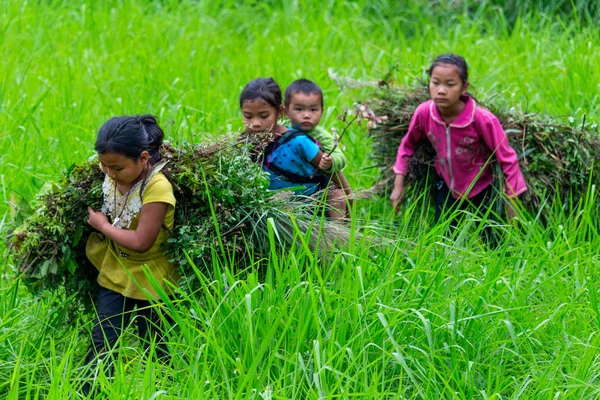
(136,218)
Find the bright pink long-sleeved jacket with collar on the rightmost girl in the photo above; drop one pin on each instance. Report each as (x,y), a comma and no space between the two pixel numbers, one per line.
(463,148)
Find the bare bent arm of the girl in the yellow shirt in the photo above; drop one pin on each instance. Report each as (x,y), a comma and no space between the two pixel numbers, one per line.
(140,240)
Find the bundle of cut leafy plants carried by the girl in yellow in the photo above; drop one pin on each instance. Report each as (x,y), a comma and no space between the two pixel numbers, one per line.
(223,207)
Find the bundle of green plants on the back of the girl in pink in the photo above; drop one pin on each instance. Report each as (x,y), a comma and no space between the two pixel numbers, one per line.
(556,157)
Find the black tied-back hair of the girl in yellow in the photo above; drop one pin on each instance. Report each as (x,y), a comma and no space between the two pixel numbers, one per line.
(130,136)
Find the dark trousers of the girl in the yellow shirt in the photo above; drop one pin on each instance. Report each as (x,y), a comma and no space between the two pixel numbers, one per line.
(114,312)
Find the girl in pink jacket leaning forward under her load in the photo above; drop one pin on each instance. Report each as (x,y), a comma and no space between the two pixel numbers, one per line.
(464,136)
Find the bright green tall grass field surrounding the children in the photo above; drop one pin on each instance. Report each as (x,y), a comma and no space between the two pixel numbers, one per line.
(412,316)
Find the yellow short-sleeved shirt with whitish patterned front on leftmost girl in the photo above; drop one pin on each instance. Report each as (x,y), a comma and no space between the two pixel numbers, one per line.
(121,269)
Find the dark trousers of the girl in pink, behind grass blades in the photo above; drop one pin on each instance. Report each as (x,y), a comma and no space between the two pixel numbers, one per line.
(445,204)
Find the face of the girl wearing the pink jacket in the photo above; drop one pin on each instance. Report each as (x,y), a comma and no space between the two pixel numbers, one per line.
(446,87)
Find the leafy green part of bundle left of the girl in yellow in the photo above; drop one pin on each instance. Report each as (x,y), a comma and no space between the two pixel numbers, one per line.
(48,246)
